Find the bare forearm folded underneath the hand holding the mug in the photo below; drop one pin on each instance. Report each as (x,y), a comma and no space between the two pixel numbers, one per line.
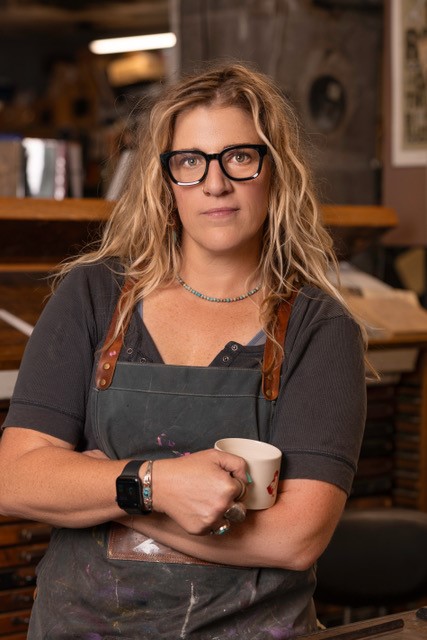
(292,534)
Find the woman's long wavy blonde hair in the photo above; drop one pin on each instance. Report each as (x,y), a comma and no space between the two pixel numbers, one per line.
(142,230)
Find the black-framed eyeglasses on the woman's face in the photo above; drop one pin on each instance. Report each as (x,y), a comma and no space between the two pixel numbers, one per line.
(190,166)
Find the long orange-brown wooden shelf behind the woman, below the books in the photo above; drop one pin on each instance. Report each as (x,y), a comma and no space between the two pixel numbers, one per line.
(50,228)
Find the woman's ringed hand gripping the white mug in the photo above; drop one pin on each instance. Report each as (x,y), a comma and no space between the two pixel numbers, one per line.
(197,490)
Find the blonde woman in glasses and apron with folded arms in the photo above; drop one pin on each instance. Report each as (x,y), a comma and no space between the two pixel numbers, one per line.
(218,226)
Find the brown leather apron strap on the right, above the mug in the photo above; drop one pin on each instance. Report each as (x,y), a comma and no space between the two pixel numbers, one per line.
(271,368)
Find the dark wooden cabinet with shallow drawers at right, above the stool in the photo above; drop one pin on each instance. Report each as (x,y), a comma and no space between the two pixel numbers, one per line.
(392,469)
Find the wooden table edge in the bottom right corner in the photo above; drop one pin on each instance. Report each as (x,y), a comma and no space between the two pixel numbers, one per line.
(403,626)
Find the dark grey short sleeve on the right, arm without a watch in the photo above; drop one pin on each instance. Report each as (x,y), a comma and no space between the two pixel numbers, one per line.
(321,410)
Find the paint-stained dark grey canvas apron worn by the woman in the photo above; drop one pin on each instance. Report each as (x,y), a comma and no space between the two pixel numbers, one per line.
(110,582)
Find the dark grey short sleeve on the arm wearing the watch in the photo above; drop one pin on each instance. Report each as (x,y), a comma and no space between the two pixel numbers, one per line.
(54,379)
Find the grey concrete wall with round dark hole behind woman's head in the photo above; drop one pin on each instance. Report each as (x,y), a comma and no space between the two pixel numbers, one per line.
(326,58)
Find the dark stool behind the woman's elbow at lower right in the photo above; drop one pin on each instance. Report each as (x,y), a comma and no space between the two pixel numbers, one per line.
(377,557)
